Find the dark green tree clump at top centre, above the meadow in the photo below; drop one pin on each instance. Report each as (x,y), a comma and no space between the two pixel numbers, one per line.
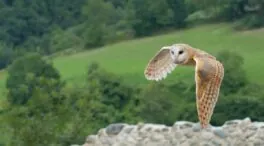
(149,16)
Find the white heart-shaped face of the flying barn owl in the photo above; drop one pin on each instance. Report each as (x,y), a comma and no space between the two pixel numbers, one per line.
(179,54)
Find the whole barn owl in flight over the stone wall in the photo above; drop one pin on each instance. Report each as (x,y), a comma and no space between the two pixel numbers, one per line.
(209,74)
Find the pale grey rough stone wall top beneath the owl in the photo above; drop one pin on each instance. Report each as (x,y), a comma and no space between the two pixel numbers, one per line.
(182,133)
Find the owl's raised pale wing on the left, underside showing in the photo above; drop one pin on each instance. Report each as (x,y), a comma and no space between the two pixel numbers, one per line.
(160,65)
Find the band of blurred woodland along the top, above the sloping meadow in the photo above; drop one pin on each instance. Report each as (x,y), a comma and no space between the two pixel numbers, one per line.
(51,26)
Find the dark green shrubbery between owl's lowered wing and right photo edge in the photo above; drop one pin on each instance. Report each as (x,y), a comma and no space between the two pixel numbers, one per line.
(238,106)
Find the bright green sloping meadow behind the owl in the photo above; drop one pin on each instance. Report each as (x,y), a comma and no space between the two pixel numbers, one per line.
(129,58)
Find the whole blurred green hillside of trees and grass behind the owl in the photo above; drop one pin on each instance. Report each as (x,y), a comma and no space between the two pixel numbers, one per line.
(71,68)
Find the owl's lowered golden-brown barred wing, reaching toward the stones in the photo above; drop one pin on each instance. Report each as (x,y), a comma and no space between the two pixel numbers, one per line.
(209,74)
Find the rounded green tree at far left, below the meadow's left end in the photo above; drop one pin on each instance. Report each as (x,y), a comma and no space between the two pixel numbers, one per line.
(27,73)
